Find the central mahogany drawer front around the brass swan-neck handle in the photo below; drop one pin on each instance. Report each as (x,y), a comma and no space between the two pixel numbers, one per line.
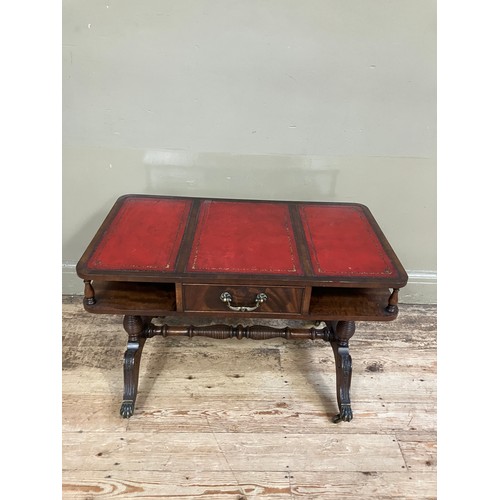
(207,298)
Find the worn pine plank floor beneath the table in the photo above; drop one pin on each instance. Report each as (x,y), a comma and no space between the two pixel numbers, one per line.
(243,419)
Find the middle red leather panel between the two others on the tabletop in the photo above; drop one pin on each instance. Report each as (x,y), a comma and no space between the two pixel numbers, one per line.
(244,237)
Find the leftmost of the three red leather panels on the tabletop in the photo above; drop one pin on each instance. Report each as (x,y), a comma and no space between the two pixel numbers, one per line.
(145,235)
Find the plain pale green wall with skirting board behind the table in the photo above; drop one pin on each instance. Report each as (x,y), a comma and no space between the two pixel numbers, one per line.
(279,99)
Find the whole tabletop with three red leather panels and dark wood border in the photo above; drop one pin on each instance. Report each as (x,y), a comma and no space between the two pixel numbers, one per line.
(167,238)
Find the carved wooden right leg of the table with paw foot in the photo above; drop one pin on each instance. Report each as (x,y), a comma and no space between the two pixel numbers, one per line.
(342,331)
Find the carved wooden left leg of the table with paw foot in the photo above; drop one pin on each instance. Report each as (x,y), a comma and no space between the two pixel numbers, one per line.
(134,326)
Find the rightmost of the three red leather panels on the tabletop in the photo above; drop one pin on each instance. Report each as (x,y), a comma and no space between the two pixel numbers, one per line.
(342,242)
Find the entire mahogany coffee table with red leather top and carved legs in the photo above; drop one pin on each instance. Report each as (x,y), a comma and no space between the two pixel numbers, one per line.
(161,256)
